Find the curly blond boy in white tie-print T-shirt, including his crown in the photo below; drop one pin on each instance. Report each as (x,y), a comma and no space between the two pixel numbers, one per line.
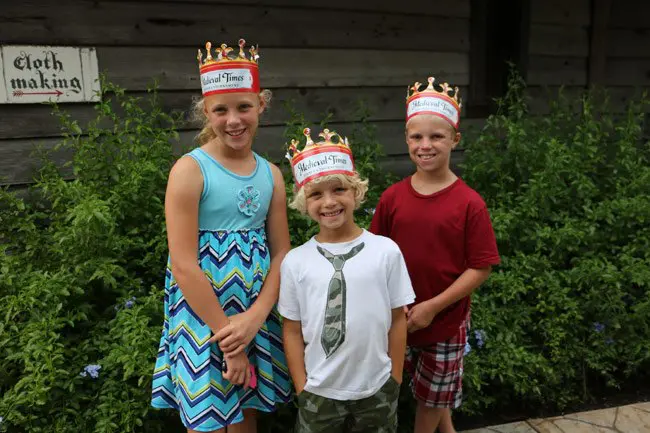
(342,295)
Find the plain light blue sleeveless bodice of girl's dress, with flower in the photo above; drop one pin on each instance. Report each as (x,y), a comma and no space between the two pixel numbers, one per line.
(230,201)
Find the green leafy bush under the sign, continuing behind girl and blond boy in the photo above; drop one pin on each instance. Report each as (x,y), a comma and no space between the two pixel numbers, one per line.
(82,273)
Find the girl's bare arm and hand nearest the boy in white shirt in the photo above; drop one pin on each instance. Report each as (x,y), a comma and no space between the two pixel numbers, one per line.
(242,328)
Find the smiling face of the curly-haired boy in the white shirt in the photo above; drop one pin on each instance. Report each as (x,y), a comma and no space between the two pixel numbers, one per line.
(330,203)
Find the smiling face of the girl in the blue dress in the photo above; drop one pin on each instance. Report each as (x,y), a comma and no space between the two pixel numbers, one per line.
(234,117)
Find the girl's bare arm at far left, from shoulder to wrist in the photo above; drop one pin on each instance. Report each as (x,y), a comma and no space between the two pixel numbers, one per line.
(182,197)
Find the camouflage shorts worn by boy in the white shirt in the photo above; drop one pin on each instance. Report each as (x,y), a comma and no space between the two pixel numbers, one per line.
(374,414)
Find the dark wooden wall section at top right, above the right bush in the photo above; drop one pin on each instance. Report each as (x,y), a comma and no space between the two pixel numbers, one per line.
(581,43)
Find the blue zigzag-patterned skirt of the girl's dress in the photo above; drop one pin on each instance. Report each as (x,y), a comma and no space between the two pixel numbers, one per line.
(187,376)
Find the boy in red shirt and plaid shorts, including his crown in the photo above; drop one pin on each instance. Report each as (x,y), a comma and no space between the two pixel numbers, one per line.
(444,231)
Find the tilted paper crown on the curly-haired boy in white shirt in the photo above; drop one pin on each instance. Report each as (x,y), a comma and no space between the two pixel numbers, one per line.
(332,155)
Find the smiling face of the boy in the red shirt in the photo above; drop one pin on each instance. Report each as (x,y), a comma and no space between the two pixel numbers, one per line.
(430,140)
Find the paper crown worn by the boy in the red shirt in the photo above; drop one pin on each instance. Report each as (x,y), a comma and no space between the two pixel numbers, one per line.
(444,102)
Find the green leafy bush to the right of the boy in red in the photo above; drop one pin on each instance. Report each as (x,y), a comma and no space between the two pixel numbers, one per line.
(568,311)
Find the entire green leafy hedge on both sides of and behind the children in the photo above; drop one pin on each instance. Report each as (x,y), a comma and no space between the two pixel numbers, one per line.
(81,269)
